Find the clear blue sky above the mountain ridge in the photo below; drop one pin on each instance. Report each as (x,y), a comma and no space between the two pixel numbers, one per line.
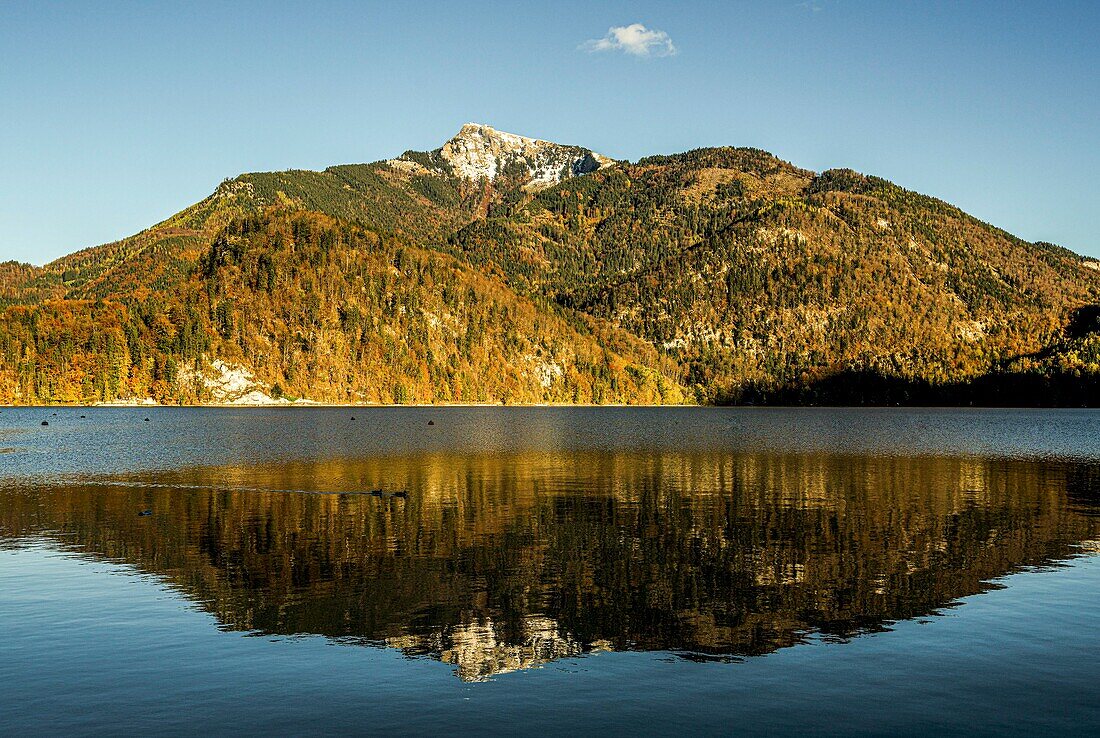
(117,116)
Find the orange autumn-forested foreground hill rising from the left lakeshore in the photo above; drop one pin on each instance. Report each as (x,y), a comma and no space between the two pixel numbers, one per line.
(314,307)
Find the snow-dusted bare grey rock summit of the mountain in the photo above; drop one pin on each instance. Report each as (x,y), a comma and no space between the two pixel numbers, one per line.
(481,152)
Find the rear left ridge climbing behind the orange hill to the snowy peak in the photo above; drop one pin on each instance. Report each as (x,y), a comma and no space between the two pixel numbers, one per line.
(421,196)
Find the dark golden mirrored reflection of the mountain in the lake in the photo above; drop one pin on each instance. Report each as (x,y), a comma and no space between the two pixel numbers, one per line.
(498,563)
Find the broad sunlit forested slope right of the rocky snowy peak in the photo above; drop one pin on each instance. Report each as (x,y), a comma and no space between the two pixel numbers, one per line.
(752,272)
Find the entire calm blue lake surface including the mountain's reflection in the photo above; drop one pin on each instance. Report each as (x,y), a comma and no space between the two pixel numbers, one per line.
(551,570)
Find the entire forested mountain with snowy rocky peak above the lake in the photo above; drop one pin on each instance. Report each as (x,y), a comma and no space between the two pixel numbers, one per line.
(505,269)
